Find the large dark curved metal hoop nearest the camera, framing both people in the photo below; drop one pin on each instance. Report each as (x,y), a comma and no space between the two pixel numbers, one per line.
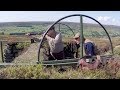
(81,15)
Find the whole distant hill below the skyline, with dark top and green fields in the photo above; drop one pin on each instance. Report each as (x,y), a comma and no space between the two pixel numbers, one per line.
(23,27)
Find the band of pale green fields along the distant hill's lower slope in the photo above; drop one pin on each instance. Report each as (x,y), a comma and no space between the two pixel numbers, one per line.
(89,30)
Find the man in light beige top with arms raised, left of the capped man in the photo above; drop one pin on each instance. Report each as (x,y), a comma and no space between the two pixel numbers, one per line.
(55,43)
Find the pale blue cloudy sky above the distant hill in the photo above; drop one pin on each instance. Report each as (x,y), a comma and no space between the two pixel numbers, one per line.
(104,17)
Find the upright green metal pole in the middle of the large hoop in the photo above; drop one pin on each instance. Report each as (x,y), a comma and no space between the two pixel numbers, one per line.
(81,37)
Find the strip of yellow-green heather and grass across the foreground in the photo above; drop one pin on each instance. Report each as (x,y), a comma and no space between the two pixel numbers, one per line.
(39,72)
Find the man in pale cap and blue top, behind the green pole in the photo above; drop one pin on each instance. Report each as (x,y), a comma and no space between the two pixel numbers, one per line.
(73,46)
